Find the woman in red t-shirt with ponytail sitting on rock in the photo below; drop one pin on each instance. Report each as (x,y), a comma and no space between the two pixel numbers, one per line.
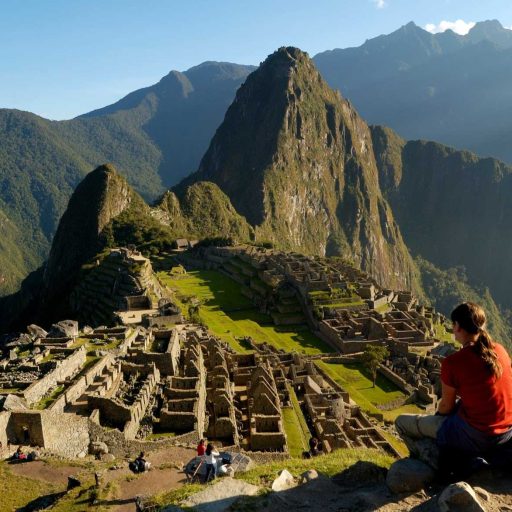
(476,429)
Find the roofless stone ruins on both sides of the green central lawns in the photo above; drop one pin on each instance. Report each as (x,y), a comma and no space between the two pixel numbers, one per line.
(184,383)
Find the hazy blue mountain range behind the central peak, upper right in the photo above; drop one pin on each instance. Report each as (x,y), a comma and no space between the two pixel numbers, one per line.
(445,87)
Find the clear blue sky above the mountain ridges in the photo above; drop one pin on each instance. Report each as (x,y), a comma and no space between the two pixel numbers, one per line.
(62,58)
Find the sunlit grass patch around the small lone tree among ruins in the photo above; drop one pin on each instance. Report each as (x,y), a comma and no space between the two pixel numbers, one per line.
(354,379)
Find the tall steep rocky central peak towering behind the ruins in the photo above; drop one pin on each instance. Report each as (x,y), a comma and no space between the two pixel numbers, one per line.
(297,161)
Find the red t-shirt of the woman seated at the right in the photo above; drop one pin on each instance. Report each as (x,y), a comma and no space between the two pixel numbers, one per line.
(486,402)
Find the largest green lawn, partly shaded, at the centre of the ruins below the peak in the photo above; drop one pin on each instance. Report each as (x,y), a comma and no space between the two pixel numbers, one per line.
(230,315)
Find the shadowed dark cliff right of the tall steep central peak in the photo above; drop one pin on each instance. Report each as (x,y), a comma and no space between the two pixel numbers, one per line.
(453,208)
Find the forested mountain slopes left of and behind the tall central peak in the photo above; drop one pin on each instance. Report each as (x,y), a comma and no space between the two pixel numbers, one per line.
(156,136)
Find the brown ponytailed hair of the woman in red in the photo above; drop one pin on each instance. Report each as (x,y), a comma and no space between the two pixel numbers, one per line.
(471,318)
